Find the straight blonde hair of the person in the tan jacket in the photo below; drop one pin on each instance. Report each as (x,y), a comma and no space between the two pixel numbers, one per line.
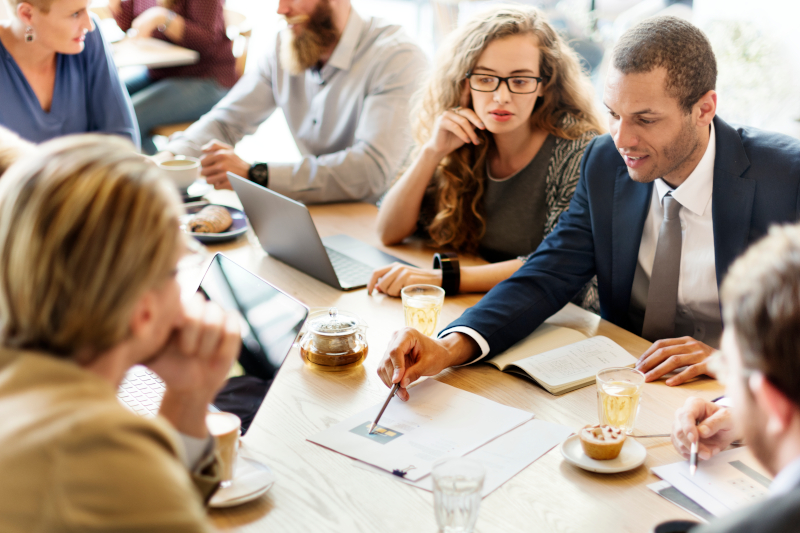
(86,227)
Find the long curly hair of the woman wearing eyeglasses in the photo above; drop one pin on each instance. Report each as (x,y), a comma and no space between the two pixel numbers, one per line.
(566,109)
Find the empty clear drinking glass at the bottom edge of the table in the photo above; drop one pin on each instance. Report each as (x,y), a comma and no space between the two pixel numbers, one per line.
(457,487)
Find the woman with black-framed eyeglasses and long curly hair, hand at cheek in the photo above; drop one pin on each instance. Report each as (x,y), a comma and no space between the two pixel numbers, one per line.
(500,129)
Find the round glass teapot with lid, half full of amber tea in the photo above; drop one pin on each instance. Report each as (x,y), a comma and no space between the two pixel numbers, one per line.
(334,341)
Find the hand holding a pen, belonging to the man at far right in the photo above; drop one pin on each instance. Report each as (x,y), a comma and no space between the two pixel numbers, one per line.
(704,425)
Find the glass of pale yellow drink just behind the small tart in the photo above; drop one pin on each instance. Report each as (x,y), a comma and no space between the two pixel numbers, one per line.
(619,391)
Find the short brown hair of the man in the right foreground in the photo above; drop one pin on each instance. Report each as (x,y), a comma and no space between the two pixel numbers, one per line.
(761,300)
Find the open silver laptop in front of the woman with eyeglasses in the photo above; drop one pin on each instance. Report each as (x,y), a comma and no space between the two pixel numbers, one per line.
(286,232)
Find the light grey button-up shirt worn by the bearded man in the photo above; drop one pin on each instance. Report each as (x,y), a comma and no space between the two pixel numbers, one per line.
(350,119)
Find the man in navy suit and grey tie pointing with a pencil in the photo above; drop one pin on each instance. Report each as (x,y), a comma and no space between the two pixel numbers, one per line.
(666,150)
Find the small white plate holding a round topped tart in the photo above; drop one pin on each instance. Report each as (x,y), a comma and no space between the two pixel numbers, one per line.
(603,449)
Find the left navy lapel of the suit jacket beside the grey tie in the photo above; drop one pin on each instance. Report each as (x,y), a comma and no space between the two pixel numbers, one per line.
(629,212)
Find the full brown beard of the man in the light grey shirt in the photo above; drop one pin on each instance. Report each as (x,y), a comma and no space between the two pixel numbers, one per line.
(300,52)
